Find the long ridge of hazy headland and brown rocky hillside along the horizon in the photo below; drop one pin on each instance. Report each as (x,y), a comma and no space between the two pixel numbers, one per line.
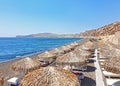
(106,30)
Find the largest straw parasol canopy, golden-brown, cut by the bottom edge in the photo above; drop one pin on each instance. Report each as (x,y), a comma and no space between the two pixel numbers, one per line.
(50,76)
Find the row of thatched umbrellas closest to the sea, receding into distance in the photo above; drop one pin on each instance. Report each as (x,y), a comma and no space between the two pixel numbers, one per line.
(28,64)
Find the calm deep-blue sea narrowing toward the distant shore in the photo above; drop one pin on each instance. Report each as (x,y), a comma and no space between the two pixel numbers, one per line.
(12,47)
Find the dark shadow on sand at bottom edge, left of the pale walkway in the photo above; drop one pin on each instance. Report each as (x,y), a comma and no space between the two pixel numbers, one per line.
(88,82)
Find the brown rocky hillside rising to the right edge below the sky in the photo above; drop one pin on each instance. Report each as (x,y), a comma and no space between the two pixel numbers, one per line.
(106,30)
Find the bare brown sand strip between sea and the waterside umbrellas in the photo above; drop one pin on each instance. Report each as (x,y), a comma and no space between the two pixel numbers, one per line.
(5,69)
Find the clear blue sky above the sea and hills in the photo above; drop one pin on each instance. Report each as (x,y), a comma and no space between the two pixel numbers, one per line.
(20,17)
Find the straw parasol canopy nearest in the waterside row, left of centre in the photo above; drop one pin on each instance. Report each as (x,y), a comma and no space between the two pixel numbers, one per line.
(25,65)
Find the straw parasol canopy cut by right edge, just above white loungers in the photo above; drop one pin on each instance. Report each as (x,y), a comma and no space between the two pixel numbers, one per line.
(113,65)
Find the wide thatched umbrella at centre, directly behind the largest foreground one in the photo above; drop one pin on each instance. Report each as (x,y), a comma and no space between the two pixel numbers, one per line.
(70,59)
